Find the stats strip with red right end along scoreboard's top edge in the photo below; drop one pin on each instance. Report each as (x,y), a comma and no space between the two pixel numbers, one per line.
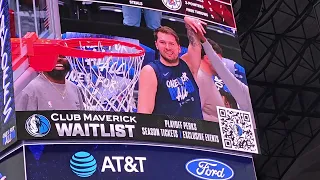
(217,12)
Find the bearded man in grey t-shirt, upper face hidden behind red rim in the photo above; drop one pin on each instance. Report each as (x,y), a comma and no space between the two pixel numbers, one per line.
(51,91)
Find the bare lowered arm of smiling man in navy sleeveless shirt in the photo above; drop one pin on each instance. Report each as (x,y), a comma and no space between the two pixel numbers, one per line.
(147,90)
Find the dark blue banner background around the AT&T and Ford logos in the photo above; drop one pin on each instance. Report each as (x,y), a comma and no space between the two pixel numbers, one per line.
(51,162)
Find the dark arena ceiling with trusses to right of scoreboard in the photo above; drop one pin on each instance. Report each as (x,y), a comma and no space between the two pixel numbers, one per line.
(281,49)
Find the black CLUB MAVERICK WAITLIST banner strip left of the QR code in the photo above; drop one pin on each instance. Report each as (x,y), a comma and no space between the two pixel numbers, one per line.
(79,125)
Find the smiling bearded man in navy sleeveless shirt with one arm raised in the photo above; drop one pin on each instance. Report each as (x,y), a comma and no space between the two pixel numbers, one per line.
(168,86)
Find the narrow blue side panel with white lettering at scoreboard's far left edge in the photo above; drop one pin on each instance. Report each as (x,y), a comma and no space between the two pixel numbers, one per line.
(7,117)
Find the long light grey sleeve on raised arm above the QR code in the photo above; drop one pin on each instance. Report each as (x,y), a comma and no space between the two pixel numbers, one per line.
(238,90)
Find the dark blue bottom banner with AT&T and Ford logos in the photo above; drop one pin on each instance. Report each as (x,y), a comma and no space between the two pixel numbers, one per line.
(122,162)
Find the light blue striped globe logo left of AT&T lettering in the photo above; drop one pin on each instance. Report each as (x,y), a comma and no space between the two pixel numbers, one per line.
(83,164)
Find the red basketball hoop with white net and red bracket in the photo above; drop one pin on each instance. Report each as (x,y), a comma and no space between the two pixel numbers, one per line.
(106,71)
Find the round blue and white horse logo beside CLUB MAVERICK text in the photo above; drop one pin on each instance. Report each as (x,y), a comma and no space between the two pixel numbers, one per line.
(37,125)
